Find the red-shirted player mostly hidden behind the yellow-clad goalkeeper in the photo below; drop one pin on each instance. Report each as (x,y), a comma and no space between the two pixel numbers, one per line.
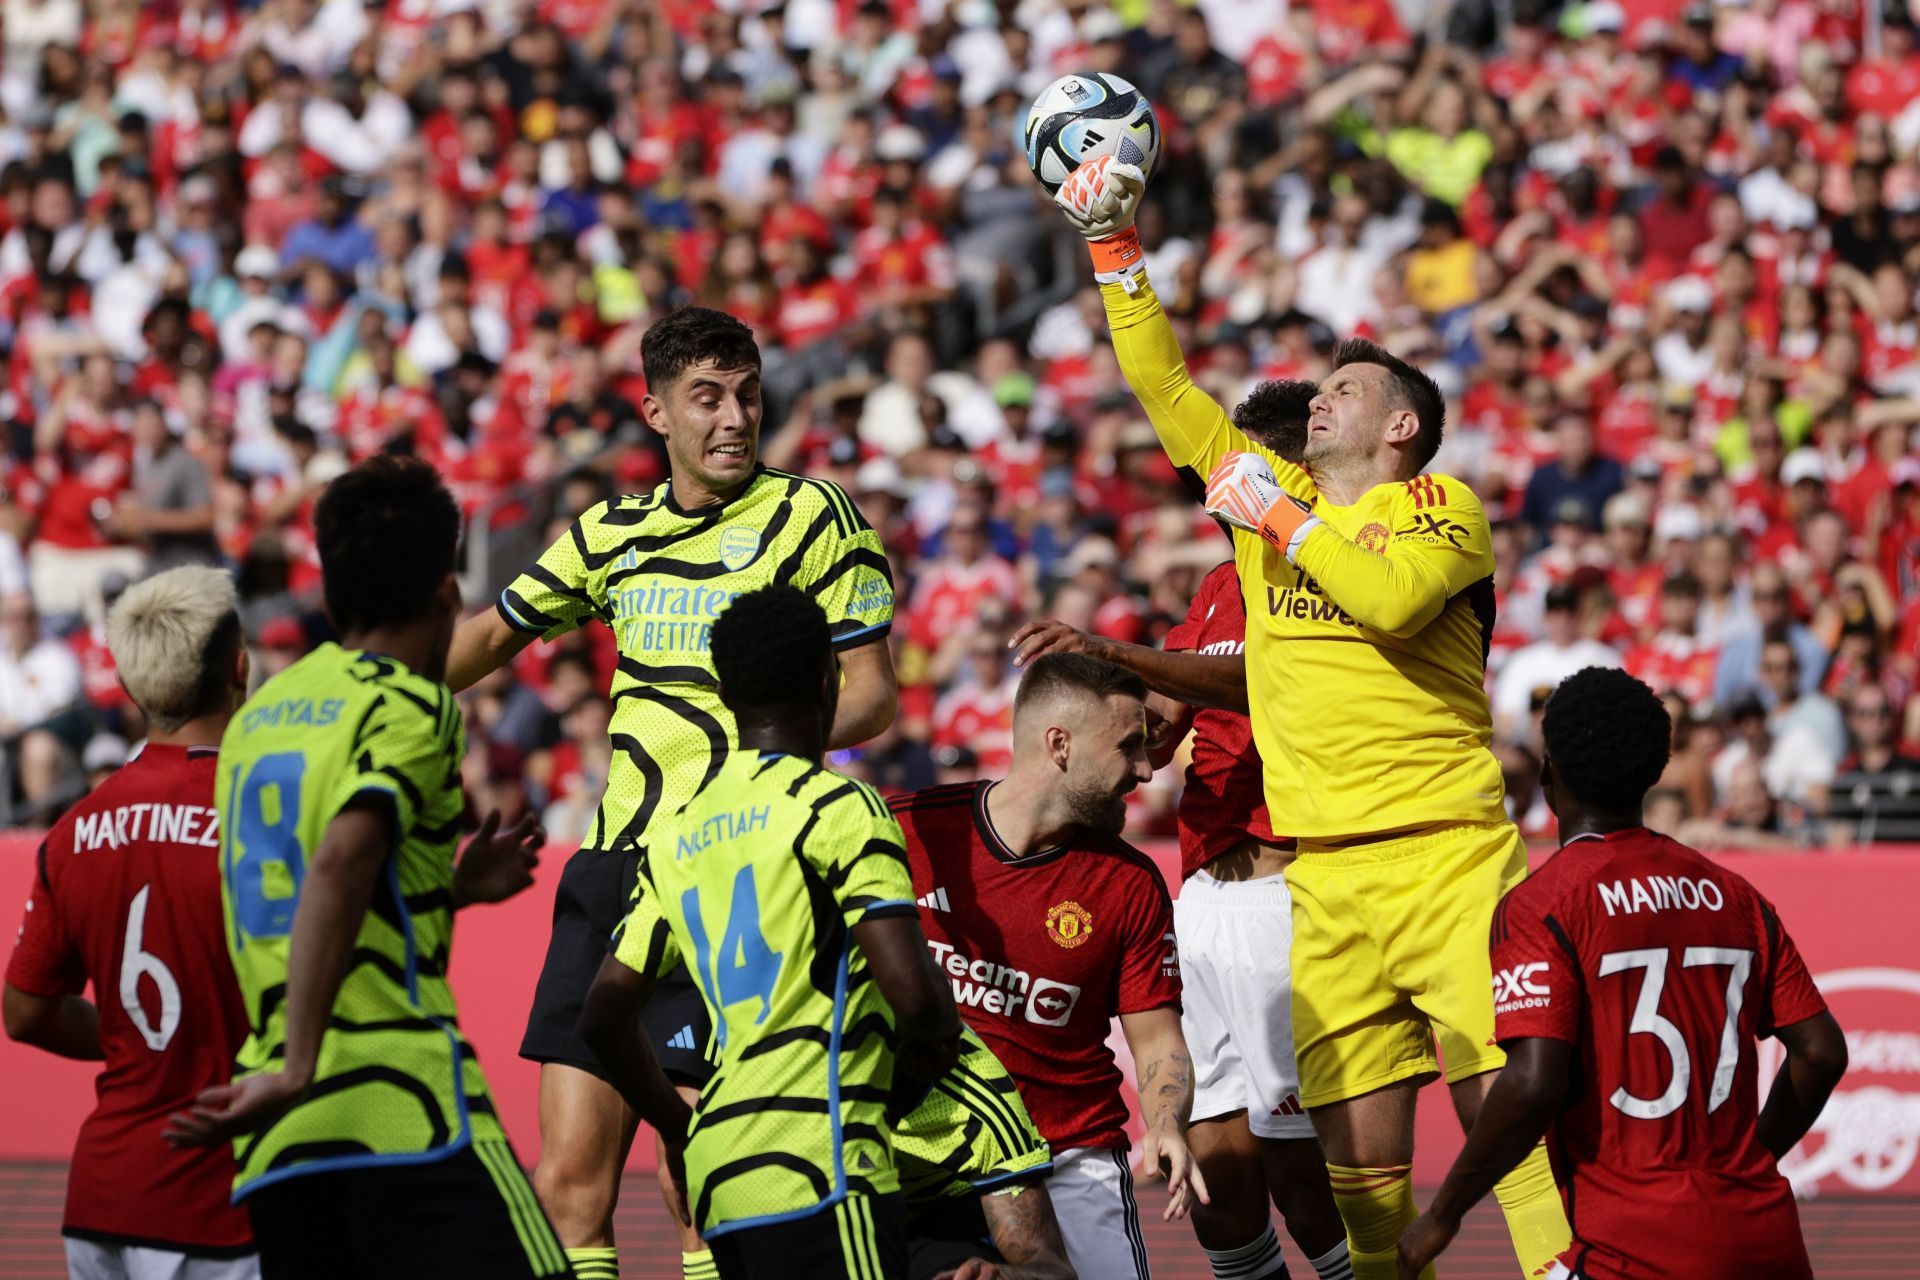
(1234,918)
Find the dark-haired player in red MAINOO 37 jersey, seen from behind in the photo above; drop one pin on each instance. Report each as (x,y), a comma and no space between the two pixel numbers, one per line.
(1635,980)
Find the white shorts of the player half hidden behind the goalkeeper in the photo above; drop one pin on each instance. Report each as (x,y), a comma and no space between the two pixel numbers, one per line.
(1237,1001)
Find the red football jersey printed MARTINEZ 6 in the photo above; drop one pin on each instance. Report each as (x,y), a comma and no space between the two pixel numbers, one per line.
(130,899)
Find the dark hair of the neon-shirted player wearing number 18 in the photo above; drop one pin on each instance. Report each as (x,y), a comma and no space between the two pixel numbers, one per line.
(387,533)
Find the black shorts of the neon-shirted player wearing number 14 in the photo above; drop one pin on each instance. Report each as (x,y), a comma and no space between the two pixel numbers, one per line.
(861,1239)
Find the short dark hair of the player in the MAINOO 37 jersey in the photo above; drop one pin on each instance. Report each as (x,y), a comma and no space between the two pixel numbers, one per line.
(1608,738)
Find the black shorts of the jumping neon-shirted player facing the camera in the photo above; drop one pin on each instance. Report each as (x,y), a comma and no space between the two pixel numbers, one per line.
(594,893)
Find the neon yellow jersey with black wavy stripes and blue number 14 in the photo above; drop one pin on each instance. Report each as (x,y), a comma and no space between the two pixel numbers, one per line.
(757,888)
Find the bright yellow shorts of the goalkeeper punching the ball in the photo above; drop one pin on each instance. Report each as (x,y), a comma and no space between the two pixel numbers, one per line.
(1391,955)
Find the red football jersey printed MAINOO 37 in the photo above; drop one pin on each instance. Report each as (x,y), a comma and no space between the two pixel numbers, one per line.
(1662,970)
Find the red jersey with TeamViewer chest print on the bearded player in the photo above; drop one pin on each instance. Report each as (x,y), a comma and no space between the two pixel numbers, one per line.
(1044,953)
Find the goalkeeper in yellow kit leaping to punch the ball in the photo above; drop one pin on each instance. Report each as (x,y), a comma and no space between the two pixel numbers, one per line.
(1370,604)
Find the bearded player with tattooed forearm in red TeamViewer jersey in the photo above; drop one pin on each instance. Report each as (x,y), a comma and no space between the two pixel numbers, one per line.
(1049,928)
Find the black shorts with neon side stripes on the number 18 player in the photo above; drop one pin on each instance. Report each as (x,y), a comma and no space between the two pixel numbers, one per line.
(471,1216)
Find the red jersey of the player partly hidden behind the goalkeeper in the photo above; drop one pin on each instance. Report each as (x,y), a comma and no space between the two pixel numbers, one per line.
(1224,801)
